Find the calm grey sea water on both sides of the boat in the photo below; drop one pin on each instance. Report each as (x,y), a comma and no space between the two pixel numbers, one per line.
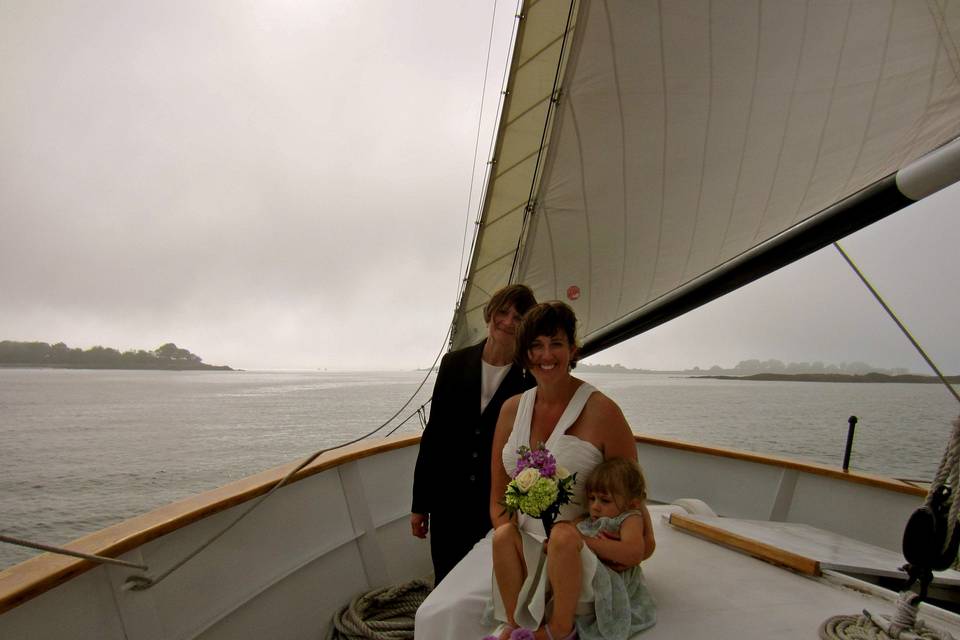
(81,449)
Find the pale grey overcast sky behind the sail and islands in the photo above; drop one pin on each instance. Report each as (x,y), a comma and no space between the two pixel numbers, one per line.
(286,184)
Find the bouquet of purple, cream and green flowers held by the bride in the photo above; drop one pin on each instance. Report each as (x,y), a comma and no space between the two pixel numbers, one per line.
(539,486)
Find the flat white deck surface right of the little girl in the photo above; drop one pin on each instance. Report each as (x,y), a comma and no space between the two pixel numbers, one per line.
(704,590)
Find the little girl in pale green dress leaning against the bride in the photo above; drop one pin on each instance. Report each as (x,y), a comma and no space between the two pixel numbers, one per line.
(618,530)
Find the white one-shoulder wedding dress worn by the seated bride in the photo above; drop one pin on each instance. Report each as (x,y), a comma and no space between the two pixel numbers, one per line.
(456,606)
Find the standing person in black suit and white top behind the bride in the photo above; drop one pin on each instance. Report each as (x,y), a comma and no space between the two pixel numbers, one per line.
(451,482)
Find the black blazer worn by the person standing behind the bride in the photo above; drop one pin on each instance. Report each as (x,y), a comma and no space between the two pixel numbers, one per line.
(453,467)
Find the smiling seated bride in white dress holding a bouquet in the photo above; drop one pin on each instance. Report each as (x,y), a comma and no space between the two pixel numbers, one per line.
(581,427)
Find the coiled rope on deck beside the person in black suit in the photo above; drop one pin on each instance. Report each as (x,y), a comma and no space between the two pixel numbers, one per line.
(382,614)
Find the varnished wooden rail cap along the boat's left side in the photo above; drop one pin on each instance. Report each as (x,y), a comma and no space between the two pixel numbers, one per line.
(29,579)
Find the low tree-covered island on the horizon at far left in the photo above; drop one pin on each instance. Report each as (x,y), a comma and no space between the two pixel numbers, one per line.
(167,357)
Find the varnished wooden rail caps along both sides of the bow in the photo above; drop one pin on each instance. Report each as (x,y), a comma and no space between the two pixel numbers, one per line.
(35,576)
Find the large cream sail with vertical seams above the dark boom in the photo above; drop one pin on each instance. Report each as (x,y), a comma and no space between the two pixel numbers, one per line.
(652,156)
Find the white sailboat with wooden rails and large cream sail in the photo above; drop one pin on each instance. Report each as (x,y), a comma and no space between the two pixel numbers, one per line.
(650,156)
